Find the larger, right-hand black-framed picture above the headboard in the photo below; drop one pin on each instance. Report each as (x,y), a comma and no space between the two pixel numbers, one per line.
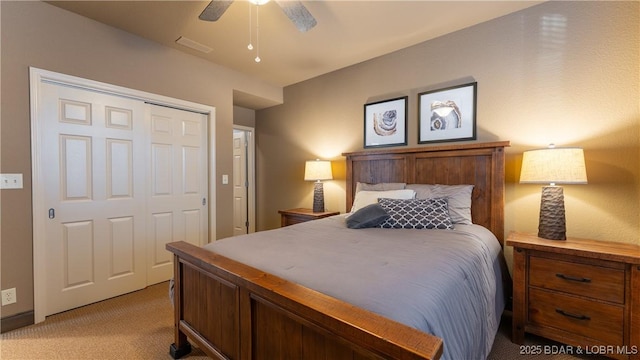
(447,114)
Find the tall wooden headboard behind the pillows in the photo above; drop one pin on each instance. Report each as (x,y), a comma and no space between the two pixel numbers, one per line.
(478,164)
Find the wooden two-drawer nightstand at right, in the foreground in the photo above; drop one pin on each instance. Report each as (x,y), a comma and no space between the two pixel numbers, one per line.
(579,292)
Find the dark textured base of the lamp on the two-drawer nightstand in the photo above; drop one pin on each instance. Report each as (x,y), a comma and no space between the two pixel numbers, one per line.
(552,223)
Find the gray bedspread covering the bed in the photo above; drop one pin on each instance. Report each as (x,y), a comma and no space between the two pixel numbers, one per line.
(443,282)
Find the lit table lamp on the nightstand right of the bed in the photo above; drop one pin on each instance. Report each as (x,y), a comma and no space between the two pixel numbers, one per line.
(553,166)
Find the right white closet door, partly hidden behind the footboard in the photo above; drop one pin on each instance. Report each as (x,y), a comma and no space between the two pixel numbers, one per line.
(177,201)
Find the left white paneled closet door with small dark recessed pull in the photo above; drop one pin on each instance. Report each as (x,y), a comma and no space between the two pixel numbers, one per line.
(93,158)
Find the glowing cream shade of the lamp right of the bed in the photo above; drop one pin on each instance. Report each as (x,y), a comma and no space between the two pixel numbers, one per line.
(553,166)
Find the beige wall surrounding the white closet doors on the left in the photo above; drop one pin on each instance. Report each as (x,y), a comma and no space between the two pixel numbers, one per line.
(43,36)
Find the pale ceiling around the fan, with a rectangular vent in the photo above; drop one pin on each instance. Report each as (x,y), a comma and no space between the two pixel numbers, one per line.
(348,32)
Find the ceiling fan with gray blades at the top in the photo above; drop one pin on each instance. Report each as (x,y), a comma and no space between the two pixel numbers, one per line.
(295,10)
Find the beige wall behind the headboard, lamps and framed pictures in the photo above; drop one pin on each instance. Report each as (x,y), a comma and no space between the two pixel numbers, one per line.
(561,72)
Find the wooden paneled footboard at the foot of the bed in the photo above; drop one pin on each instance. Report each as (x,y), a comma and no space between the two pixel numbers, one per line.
(233,311)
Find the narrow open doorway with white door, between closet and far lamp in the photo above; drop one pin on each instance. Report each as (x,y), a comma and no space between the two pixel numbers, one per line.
(243,180)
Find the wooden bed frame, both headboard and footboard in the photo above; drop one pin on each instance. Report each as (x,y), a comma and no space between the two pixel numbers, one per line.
(233,311)
